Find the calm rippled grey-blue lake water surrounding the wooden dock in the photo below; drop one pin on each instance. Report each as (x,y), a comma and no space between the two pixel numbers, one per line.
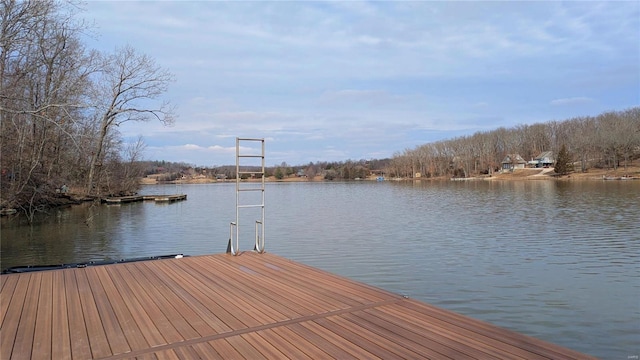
(556,260)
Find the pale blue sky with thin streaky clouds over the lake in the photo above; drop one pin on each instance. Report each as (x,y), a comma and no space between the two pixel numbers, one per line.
(339,80)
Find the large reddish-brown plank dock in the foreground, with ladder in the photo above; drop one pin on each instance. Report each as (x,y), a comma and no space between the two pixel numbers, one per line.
(250,306)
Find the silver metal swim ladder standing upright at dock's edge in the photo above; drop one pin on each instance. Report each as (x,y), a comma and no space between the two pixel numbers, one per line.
(234,236)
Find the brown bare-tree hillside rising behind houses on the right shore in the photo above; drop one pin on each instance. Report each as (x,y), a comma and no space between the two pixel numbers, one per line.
(609,140)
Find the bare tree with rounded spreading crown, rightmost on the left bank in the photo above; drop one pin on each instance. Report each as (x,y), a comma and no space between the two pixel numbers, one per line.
(128,84)
